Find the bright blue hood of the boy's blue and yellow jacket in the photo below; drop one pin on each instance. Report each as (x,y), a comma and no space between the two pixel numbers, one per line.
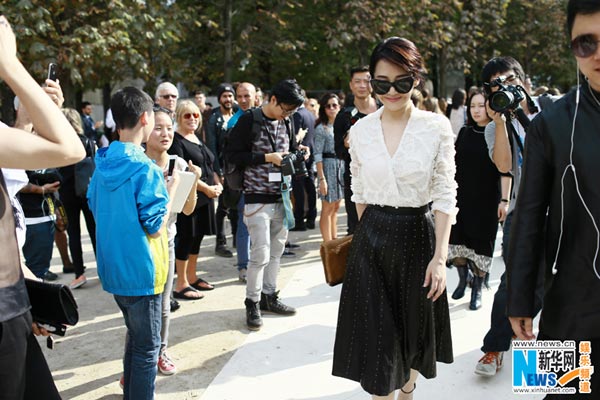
(118,162)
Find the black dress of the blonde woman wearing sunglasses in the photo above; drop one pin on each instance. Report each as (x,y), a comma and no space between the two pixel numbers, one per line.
(202,221)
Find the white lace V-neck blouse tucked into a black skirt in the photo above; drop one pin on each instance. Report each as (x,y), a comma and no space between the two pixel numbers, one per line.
(422,169)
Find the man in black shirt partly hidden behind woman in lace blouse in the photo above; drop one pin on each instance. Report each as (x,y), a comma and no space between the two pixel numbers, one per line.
(363,104)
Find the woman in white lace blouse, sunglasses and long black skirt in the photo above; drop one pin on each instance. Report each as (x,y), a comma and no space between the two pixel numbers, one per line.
(394,320)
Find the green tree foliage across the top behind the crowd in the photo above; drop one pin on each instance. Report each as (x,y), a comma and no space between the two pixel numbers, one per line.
(202,43)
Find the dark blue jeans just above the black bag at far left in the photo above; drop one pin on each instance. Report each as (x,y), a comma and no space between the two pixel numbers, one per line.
(37,250)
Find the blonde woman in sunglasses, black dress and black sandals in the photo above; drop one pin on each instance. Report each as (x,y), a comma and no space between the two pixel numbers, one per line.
(192,229)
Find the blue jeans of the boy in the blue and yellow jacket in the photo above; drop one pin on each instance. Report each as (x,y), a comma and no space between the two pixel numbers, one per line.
(143,320)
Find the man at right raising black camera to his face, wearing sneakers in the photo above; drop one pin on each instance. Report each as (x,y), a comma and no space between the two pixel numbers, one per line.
(505,135)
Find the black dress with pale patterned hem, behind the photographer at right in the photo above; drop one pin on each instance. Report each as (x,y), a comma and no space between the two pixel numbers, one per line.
(474,234)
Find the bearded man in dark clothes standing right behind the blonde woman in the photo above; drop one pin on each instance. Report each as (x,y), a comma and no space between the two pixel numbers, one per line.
(216,131)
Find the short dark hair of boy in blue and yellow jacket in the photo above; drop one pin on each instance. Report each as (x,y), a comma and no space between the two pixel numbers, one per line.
(128,105)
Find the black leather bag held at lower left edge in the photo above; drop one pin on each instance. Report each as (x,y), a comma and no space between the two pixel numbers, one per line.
(52,304)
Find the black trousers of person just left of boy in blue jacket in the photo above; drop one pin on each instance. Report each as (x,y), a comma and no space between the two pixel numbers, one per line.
(75,206)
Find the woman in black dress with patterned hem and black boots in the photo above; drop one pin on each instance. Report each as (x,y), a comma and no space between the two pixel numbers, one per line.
(474,234)
